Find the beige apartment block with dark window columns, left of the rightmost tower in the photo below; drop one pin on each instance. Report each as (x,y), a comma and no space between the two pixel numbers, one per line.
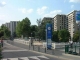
(60,22)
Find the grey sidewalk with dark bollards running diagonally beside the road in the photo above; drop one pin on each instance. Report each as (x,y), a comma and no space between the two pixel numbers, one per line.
(56,52)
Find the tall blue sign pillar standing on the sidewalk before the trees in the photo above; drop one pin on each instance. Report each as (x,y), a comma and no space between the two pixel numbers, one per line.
(49,35)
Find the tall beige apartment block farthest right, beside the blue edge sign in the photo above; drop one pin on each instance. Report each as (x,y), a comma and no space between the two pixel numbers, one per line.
(72,26)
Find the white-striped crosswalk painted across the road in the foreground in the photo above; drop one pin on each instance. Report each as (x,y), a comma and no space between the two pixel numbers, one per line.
(28,58)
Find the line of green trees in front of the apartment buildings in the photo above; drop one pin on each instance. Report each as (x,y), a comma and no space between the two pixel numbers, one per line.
(25,29)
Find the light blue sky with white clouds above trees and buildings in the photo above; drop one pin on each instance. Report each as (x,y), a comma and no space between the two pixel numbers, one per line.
(16,10)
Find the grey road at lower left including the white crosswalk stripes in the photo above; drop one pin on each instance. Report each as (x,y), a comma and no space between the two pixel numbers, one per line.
(11,52)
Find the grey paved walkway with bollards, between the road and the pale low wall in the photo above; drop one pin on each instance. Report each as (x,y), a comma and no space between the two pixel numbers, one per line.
(57,52)
